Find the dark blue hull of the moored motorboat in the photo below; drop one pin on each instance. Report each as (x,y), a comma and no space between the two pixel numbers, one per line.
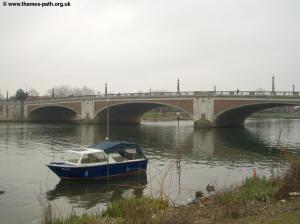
(65,171)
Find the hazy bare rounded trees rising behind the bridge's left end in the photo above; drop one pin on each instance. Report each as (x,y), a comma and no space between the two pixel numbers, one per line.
(66,91)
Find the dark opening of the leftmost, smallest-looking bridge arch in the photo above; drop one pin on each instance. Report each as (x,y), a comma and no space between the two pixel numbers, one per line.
(53,113)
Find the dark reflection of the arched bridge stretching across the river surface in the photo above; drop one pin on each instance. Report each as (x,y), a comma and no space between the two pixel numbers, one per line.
(158,139)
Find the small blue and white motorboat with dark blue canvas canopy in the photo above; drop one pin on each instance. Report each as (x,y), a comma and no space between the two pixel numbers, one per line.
(103,160)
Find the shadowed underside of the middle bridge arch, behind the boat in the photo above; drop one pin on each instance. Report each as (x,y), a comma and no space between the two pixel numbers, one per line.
(130,112)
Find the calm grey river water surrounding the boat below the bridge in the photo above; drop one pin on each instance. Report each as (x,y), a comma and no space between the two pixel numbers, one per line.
(181,161)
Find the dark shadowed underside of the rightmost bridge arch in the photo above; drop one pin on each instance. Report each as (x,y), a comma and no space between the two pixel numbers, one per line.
(236,116)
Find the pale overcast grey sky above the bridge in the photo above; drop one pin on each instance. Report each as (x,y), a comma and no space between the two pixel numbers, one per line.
(137,45)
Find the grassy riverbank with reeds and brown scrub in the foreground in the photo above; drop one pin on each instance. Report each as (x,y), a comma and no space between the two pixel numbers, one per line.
(256,200)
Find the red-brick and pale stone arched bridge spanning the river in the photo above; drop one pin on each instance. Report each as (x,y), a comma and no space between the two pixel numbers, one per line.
(206,109)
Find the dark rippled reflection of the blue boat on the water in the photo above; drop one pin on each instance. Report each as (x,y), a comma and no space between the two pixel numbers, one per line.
(87,194)
